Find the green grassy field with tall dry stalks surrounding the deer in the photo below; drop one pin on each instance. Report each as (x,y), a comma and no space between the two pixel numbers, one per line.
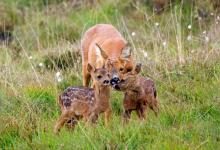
(178,50)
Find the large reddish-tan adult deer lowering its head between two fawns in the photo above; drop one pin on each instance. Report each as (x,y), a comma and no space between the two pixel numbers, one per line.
(101,45)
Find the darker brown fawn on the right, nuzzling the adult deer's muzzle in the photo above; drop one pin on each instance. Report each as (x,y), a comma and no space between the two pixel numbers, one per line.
(140,92)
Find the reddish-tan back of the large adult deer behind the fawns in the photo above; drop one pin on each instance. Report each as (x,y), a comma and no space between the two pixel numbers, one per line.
(107,37)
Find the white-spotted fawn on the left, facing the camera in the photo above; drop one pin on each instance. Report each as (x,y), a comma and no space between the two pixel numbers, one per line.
(86,103)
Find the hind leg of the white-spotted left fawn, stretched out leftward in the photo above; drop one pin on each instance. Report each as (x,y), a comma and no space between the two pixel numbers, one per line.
(63,118)
